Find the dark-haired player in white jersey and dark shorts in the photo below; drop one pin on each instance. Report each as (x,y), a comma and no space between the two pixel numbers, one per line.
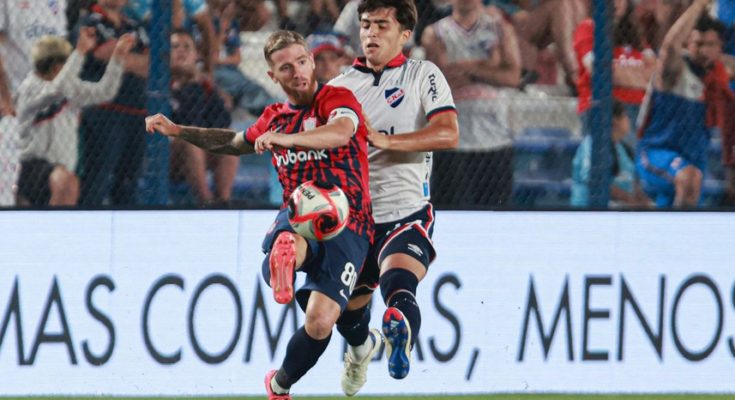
(410,107)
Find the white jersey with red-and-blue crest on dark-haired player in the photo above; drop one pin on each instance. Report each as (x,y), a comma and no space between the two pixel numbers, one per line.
(401,99)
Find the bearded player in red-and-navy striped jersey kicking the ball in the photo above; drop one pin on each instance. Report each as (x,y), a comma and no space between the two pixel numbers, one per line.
(319,134)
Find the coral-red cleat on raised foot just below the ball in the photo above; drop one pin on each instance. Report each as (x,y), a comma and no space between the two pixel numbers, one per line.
(282,262)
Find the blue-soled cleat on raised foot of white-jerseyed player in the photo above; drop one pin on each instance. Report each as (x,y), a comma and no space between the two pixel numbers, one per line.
(397,342)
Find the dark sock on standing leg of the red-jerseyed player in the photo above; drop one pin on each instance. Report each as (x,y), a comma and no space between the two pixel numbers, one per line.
(302,353)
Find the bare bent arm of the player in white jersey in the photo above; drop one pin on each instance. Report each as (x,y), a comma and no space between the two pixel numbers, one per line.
(442,133)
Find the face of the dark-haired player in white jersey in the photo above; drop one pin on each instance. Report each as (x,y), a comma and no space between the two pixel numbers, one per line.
(381,36)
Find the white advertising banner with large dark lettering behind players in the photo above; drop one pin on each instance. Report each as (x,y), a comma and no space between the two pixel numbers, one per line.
(172,303)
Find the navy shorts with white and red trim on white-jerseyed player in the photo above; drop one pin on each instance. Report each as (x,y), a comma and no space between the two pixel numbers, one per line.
(410,236)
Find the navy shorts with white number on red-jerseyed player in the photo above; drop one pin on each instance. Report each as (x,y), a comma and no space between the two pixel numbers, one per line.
(331,266)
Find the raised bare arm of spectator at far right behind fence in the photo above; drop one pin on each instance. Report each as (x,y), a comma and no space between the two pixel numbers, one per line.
(670,63)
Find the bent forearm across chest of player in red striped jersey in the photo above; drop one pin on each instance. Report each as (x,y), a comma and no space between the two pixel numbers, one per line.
(336,133)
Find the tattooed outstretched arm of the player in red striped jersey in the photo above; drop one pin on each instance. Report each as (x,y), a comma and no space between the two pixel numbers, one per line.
(220,141)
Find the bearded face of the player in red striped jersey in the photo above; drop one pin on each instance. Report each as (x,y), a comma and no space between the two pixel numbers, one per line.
(293,69)
